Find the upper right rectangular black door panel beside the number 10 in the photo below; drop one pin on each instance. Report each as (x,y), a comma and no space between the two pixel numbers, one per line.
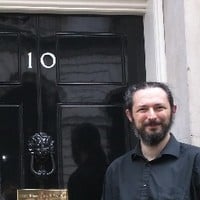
(90,59)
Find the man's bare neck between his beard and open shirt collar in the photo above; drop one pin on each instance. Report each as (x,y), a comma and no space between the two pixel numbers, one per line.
(152,152)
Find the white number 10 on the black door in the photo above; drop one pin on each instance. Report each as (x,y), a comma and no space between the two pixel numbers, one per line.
(42,62)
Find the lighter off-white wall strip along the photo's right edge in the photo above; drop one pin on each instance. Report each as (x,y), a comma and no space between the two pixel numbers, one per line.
(192,34)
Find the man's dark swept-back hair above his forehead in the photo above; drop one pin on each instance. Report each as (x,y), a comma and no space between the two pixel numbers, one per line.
(134,88)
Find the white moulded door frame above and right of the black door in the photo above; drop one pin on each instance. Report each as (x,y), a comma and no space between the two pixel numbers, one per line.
(151,10)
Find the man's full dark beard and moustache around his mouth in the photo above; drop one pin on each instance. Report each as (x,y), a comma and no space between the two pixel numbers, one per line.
(153,138)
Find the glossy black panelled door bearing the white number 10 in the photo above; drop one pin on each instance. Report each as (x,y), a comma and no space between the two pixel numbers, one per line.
(62,78)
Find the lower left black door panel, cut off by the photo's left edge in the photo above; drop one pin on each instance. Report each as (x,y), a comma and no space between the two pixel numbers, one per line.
(9,148)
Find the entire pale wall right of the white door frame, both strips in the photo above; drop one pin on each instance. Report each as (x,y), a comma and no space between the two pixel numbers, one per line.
(182,39)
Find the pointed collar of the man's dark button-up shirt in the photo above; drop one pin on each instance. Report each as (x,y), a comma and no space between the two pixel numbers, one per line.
(171,149)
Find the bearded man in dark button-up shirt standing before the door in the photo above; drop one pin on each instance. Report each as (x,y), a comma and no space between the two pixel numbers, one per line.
(159,167)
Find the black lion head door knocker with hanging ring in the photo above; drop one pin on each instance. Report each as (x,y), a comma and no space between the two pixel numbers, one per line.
(41,148)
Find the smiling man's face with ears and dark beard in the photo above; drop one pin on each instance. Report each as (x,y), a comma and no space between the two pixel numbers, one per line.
(151,115)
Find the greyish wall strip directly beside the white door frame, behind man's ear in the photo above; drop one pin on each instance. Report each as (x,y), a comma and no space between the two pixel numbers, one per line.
(176,60)
